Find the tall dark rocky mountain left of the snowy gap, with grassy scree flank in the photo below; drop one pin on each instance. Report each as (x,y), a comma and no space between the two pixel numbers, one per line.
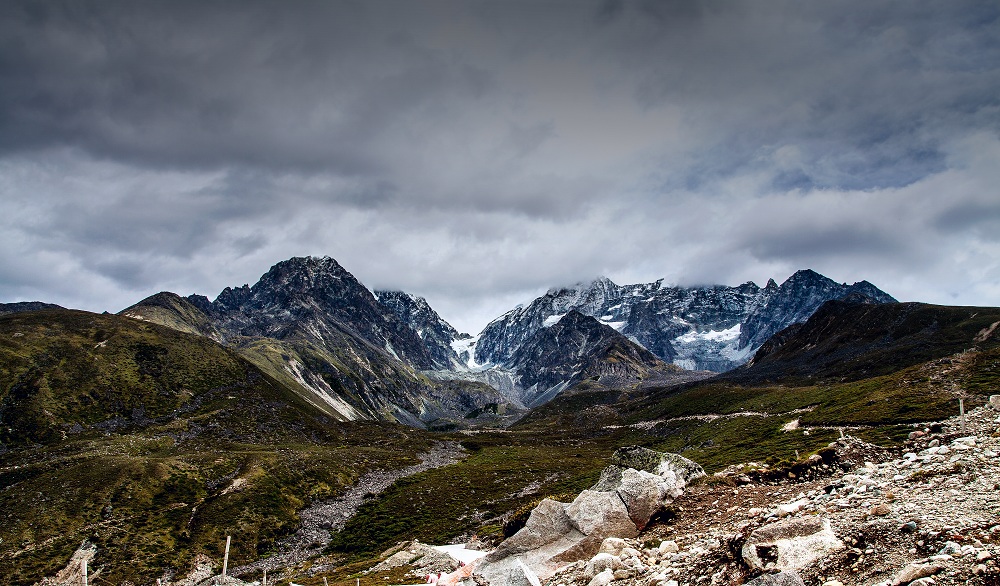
(311,325)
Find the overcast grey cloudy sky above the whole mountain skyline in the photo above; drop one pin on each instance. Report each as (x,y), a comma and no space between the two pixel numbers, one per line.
(479,152)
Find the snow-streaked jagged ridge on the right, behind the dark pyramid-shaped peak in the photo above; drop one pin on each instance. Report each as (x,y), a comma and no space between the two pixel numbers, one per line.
(711,328)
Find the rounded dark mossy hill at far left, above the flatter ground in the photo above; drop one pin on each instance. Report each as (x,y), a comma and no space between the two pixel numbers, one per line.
(67,372)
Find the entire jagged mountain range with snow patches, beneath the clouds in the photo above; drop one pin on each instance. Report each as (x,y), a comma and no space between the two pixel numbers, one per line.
(355,354)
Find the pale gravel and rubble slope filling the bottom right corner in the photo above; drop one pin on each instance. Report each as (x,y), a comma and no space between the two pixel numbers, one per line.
(855,514)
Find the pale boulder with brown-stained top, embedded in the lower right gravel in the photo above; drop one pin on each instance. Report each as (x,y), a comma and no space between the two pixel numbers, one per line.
(790,544)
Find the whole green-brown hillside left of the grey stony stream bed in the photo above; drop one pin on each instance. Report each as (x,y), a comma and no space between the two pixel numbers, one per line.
(155,444)
